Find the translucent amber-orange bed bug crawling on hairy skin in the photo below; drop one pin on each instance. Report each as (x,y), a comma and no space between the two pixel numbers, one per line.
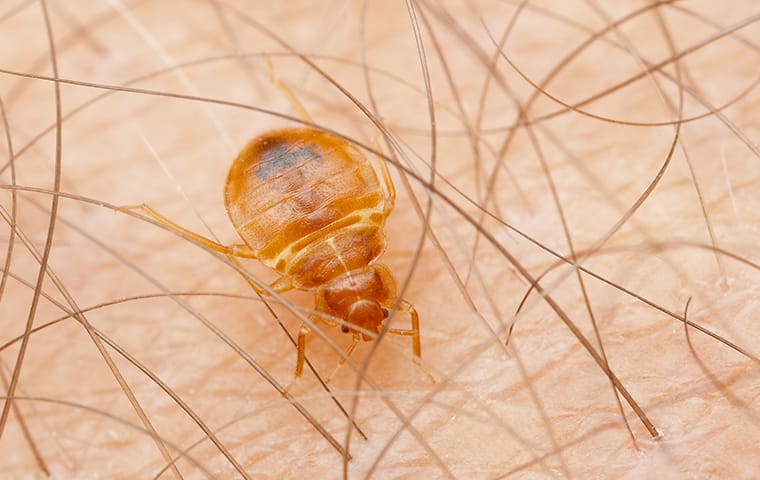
(310,205)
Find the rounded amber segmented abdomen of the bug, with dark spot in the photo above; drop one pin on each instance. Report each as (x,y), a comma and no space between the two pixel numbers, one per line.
(311,208)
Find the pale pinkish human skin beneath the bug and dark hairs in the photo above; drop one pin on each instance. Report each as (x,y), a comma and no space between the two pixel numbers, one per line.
(539,408)
